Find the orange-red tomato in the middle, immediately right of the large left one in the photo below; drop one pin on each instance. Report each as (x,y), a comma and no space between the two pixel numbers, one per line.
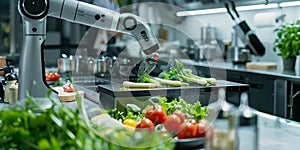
(172,123)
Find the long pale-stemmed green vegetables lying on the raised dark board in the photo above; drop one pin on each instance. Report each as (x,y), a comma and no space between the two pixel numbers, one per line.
(175,77)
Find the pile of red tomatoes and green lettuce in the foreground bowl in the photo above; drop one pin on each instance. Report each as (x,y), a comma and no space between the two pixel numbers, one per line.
(175,118)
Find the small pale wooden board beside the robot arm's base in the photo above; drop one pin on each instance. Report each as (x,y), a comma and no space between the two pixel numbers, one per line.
(67,96)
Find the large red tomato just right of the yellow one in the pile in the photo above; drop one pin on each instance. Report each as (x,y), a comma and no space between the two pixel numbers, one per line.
(156,114)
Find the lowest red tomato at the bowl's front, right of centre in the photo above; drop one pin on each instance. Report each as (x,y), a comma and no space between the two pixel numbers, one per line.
(188,130)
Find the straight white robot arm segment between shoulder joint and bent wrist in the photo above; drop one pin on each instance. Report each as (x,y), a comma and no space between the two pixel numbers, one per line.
(84,13)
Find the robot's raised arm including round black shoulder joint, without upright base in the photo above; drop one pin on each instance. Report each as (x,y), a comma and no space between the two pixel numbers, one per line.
(90,15)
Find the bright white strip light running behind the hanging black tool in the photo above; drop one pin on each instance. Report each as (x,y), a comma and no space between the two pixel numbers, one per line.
(239,8)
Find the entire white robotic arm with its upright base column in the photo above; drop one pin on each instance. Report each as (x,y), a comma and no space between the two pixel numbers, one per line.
(35,13)
